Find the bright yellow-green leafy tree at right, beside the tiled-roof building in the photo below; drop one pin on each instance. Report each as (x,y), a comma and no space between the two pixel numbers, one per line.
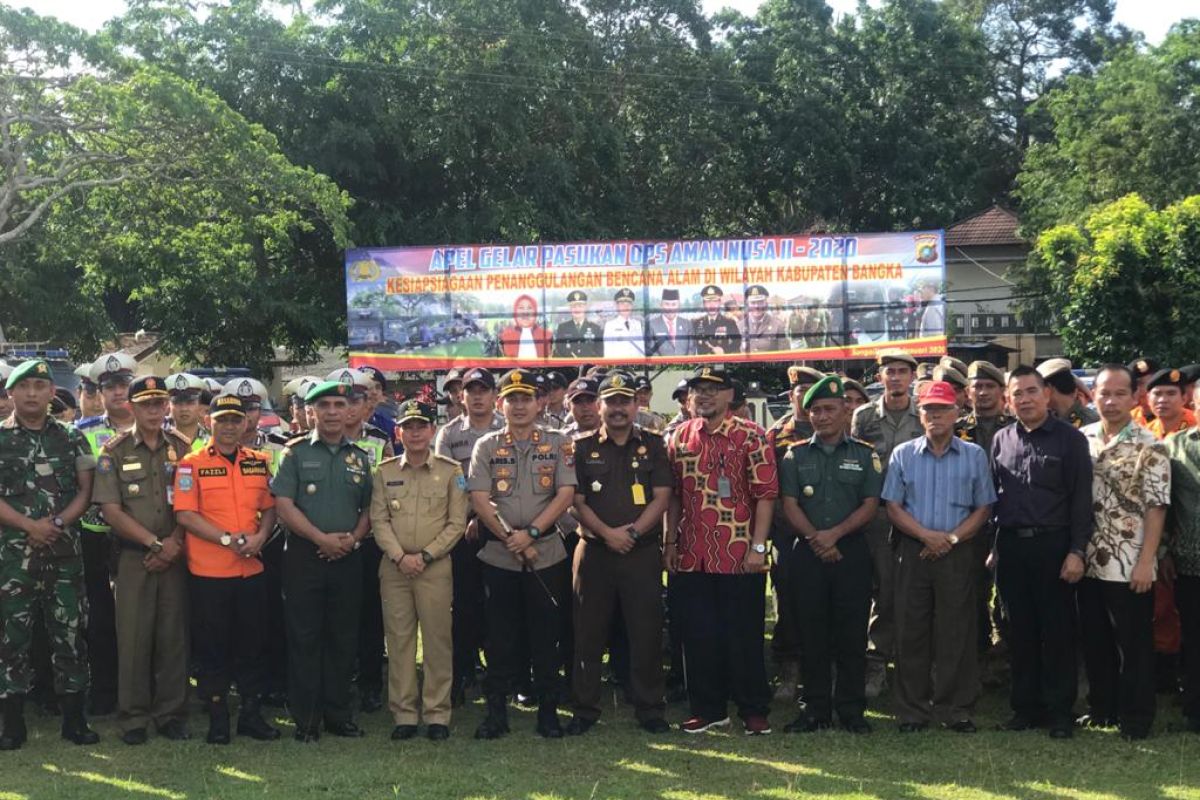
(1130,281)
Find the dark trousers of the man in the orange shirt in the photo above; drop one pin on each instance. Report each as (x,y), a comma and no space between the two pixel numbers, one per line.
(229,635)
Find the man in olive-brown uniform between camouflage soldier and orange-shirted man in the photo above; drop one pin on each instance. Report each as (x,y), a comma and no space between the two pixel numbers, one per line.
(135,479)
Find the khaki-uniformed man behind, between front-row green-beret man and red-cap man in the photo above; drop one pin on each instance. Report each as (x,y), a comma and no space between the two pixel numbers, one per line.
(885,424)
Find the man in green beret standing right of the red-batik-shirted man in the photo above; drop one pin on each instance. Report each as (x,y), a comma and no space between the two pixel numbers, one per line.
(831,488)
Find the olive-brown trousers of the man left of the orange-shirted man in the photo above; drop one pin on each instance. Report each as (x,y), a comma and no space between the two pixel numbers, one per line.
(152,642)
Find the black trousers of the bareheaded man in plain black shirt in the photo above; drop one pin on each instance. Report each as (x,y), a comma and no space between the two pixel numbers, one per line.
(1042,624)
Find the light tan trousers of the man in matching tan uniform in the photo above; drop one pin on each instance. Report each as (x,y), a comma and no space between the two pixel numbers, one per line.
(423,601)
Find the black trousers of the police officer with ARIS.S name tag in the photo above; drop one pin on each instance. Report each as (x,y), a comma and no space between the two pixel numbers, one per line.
(520,612)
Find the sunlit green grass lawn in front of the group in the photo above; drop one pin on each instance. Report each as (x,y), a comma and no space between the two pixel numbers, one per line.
(617,761)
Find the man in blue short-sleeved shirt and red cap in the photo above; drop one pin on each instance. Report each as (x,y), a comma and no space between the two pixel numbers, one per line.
(939,494)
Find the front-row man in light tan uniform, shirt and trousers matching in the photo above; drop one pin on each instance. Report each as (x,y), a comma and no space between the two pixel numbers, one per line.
(418,515)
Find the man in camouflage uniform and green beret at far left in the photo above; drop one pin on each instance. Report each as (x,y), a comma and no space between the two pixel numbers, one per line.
(46,473)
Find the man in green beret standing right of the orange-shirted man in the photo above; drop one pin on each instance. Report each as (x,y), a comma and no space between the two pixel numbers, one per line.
(323,497)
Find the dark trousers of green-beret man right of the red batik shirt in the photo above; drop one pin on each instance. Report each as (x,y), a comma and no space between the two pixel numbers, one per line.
(832,604)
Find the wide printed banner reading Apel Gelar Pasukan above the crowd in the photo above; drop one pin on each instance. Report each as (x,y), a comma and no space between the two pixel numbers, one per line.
(647,303)
